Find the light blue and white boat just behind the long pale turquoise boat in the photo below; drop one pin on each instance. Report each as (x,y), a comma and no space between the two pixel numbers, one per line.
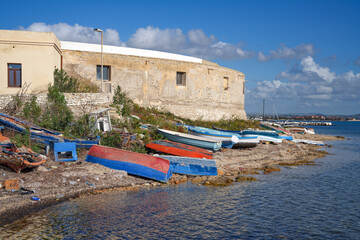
(228,139)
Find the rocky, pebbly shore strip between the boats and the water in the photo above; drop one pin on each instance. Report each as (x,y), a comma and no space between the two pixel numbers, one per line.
(55,182)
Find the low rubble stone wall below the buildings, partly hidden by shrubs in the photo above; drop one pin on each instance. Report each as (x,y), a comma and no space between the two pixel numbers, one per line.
(79,103)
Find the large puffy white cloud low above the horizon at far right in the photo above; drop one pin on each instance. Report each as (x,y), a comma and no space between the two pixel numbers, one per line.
(310,81)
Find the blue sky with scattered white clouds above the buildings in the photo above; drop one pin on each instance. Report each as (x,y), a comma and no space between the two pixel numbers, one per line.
(301,56)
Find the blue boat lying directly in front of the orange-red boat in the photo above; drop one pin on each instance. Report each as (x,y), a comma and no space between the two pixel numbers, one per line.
(191,166)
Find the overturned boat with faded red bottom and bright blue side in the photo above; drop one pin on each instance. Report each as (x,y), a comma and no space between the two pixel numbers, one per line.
(134,163)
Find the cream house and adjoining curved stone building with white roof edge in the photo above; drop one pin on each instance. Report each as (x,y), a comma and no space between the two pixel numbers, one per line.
(187,86)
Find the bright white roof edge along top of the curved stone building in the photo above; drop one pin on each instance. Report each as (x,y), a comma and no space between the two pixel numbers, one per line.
(90,47)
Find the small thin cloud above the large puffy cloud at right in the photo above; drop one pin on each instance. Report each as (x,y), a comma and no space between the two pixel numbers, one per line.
(284,52)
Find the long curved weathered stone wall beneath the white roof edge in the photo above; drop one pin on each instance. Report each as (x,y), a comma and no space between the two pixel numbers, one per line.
(211,91)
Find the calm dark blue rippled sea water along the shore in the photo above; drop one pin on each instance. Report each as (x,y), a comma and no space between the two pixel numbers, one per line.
(306,202)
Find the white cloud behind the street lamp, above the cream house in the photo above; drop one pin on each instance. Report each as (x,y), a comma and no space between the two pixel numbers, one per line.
(76,33)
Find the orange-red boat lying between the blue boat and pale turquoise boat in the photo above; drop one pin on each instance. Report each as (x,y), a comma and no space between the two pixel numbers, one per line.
(179,149)
